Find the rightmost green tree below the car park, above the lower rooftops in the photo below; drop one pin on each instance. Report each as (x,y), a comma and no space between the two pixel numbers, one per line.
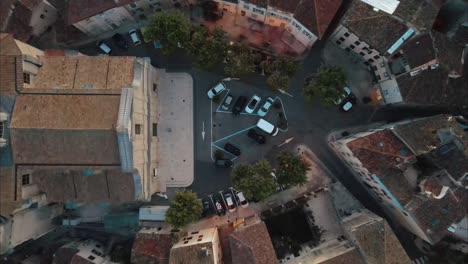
(292,170)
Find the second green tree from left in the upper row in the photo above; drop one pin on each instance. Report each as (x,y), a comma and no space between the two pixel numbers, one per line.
(208,50)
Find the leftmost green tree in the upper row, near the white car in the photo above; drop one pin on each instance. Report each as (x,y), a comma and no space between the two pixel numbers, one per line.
(172,29)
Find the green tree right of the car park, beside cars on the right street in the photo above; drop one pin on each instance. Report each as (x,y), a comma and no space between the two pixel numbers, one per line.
(328,85)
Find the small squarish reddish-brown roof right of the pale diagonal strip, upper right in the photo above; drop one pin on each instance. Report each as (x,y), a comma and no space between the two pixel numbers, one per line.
(419,50)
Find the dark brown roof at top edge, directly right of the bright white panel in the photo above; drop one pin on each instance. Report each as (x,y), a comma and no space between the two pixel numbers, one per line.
(420,14)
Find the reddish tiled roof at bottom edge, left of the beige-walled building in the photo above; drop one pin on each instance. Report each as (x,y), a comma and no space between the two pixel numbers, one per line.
(152,247)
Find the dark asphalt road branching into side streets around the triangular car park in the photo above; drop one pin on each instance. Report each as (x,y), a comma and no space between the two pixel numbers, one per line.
(309,123)
